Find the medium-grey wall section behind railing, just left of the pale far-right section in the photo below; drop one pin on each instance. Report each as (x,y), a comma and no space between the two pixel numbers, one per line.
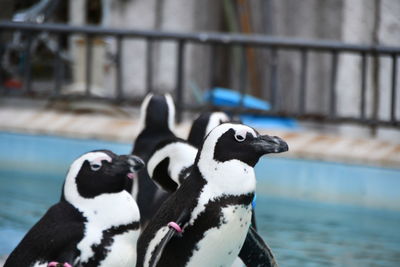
(310,19)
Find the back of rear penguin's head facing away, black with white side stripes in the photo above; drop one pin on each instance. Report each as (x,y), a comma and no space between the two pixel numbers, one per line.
(157,112)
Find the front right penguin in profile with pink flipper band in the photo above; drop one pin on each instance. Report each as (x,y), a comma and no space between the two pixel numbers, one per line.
(206,220)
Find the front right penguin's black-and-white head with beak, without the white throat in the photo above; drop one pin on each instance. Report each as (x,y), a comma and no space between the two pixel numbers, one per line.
(230,141)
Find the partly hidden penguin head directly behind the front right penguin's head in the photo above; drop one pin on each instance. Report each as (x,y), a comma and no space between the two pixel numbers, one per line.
(204,124)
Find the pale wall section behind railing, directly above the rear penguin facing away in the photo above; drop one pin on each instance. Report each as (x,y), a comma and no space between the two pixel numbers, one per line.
(174,15)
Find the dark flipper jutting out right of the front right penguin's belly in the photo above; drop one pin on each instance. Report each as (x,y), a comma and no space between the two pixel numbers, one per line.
(255,252)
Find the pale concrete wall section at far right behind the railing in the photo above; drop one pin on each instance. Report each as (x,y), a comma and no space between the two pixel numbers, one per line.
(368,22)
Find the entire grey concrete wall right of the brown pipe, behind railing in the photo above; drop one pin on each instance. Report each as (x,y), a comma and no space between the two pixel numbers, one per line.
(350,21)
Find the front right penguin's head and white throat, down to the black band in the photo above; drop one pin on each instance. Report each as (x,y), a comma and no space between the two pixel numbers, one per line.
(227,157)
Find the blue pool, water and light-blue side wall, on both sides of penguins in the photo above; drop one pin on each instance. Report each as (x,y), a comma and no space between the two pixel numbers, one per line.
(301,228)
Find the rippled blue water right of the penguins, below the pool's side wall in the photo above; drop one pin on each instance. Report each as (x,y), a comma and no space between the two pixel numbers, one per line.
(303,233)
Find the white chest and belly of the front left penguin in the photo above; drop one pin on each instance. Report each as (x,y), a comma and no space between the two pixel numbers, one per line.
(104,215)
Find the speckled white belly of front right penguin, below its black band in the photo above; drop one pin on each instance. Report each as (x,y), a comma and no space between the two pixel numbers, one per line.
(221,245)
